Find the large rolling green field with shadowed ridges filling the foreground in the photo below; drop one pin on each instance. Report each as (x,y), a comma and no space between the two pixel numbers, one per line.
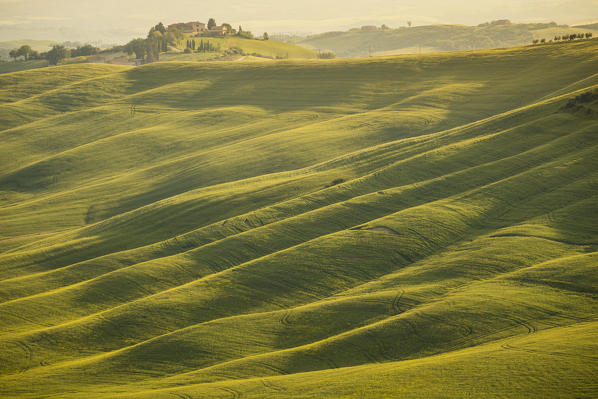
(417,226)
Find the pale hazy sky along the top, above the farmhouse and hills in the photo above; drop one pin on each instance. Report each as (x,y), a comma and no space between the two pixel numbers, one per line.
(112,21)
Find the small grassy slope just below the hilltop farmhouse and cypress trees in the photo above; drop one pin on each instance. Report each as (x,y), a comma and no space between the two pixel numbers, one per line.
(259,48)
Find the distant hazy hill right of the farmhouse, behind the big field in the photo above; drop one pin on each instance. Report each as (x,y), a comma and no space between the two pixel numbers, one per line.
(359,43)
